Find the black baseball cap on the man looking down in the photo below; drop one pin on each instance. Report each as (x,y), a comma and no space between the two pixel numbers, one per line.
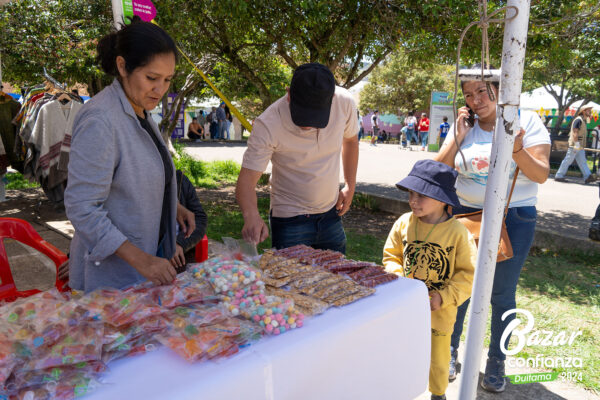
(311,94)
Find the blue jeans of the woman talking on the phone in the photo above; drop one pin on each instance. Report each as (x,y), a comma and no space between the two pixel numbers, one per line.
(520,224)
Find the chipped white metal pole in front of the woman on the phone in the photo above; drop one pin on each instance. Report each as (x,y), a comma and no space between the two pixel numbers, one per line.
(507,125)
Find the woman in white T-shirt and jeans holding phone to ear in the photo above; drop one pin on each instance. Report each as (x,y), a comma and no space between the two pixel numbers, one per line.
(531,154)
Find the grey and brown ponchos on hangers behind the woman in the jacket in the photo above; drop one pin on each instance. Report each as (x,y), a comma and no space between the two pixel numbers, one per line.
(45,128)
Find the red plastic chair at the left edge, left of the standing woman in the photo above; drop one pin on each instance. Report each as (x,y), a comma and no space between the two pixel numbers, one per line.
(22,231)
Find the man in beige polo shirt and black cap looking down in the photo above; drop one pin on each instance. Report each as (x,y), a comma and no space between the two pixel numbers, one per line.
(302,134)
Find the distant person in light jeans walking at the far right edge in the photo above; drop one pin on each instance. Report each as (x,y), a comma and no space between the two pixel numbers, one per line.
(575,152)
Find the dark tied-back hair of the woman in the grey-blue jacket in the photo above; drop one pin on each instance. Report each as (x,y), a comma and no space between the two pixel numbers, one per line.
(137,43)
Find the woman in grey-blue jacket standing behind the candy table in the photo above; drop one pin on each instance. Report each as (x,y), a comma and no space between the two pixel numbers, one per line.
(121,192)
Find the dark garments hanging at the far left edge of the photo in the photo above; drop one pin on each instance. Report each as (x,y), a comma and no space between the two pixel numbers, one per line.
(8,110)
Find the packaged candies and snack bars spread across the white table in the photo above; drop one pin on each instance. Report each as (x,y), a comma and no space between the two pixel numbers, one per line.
(56,347)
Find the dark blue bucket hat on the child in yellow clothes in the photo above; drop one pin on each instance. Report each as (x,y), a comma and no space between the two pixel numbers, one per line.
(432,179)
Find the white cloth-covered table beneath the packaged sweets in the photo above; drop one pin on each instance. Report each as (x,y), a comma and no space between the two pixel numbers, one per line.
(375,348)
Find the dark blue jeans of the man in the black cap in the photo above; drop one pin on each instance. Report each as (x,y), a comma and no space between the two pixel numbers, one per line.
(321,231)
